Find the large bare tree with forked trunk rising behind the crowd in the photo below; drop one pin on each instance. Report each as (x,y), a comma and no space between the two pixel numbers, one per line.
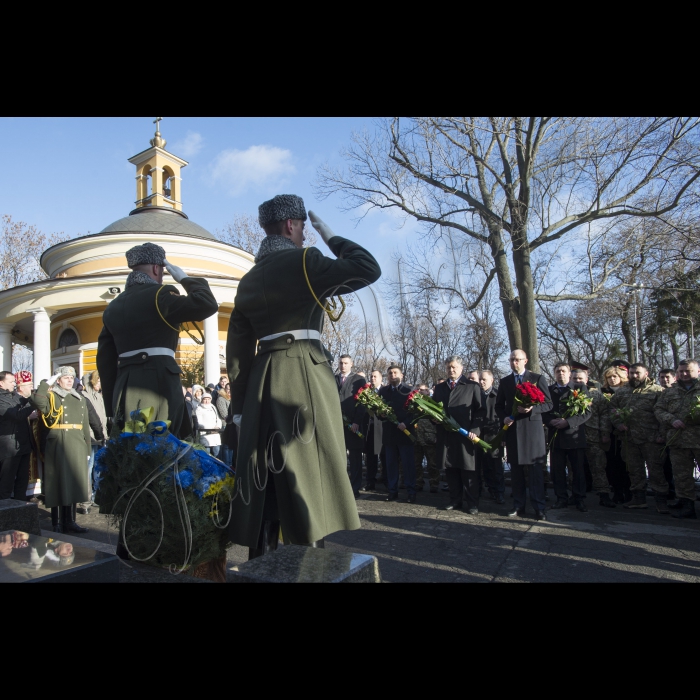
(517,184)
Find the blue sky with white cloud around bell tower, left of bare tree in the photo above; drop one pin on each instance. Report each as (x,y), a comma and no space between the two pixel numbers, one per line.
(71,175)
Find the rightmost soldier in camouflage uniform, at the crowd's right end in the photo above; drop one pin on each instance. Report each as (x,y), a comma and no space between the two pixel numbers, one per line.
(672,410)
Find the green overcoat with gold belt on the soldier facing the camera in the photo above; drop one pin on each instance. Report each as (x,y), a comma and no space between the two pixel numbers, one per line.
(65,456)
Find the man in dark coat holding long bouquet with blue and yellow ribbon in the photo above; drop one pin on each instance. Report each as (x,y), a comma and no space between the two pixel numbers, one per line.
(461,399)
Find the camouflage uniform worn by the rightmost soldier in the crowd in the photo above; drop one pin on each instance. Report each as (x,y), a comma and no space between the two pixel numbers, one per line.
(674,404)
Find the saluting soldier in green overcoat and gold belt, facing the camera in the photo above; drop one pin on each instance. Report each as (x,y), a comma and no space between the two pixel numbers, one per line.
(64,414)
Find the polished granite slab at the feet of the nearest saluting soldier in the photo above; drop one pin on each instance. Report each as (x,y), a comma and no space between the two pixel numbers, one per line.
(295,564)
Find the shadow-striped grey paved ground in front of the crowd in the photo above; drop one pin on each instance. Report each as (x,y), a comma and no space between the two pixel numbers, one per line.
(422,543)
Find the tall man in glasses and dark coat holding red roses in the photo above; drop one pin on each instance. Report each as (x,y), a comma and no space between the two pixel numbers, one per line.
(525,439)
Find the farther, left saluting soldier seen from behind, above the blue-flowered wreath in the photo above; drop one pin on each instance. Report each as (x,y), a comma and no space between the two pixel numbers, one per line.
(136,348)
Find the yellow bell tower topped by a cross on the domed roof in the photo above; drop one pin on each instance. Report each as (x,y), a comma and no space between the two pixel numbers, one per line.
(158,175)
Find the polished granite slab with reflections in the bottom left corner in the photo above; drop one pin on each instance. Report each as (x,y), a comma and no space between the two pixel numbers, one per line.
(29,558)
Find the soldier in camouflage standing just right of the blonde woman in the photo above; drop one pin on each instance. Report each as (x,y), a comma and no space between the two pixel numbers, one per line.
(643,441)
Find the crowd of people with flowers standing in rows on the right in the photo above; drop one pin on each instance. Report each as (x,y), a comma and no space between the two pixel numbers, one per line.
(635,436)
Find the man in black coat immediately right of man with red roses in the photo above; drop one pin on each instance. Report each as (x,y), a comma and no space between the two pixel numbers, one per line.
(570,441)
